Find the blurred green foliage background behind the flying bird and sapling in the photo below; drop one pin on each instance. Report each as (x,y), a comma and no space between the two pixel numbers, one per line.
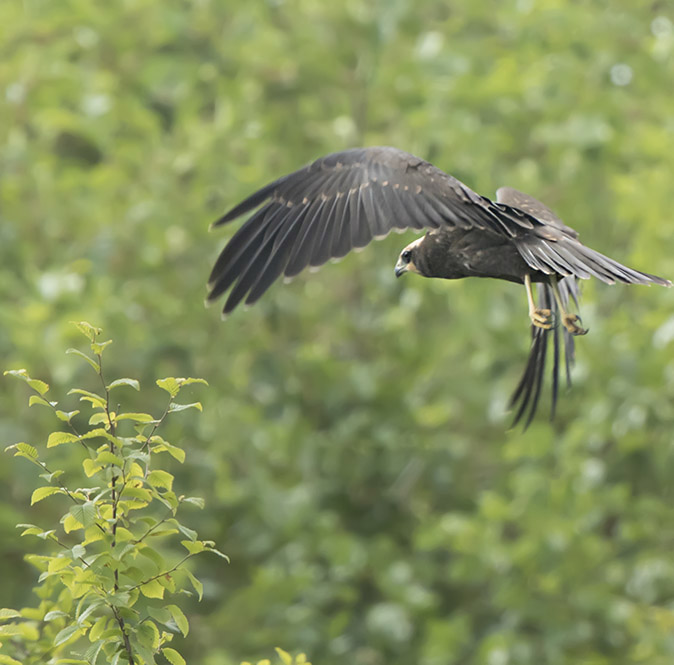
(354,451)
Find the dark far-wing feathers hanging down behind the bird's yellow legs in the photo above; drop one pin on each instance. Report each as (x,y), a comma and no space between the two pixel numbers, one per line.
(526,396)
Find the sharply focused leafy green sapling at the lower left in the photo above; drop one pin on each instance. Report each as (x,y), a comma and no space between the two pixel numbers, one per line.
(109,573)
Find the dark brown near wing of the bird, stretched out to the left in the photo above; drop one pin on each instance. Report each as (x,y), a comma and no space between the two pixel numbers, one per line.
(339,203)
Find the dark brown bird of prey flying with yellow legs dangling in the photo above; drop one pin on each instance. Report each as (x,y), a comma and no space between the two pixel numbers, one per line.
(342,201)
